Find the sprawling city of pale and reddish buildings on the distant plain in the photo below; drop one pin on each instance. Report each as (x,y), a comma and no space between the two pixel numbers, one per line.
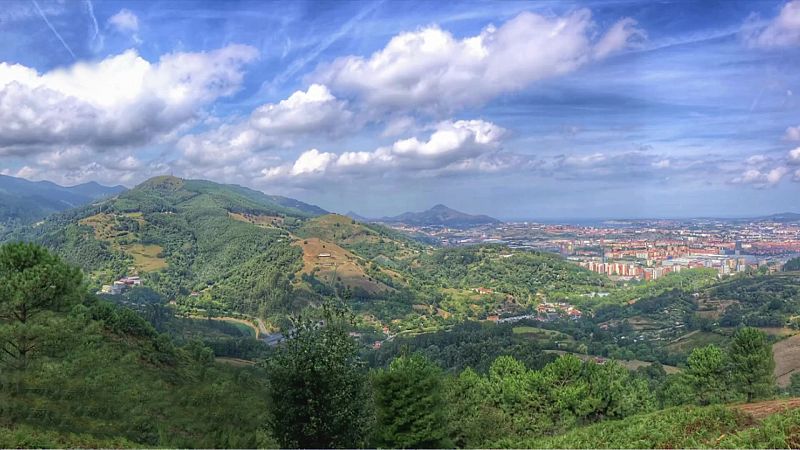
(643,249)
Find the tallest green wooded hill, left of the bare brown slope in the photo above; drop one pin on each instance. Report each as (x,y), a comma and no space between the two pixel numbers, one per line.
(185,236)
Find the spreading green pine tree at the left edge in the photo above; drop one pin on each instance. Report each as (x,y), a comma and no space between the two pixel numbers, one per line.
(33,284)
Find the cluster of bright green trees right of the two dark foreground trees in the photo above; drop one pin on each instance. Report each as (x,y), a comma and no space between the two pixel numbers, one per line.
(512,400)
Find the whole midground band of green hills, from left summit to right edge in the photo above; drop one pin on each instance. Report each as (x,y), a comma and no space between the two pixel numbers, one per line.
(223,250)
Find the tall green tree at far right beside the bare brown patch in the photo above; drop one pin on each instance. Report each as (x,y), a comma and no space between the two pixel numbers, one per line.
(752,364)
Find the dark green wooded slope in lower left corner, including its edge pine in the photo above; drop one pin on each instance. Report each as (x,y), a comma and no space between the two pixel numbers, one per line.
(105,373)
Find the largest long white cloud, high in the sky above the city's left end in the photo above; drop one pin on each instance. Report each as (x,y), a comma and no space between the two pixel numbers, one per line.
(430,69)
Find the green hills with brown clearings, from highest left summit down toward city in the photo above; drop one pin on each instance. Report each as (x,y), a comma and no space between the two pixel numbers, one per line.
(215,249)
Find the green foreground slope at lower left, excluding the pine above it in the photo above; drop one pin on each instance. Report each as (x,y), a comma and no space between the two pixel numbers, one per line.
(118,383)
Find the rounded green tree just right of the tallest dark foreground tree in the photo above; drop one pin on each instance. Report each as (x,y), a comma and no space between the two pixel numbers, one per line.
(409,404)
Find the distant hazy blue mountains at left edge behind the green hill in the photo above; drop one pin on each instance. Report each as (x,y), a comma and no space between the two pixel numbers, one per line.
(23,201)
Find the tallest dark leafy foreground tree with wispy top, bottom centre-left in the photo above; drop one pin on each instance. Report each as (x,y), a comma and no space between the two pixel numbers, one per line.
(318,385)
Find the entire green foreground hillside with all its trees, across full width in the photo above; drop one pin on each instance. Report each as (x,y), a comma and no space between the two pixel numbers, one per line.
(79,371)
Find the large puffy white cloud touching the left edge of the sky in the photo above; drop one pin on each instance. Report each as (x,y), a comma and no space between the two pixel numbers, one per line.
(120,101)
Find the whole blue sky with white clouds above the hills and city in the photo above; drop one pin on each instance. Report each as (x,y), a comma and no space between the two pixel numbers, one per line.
(517,109)
